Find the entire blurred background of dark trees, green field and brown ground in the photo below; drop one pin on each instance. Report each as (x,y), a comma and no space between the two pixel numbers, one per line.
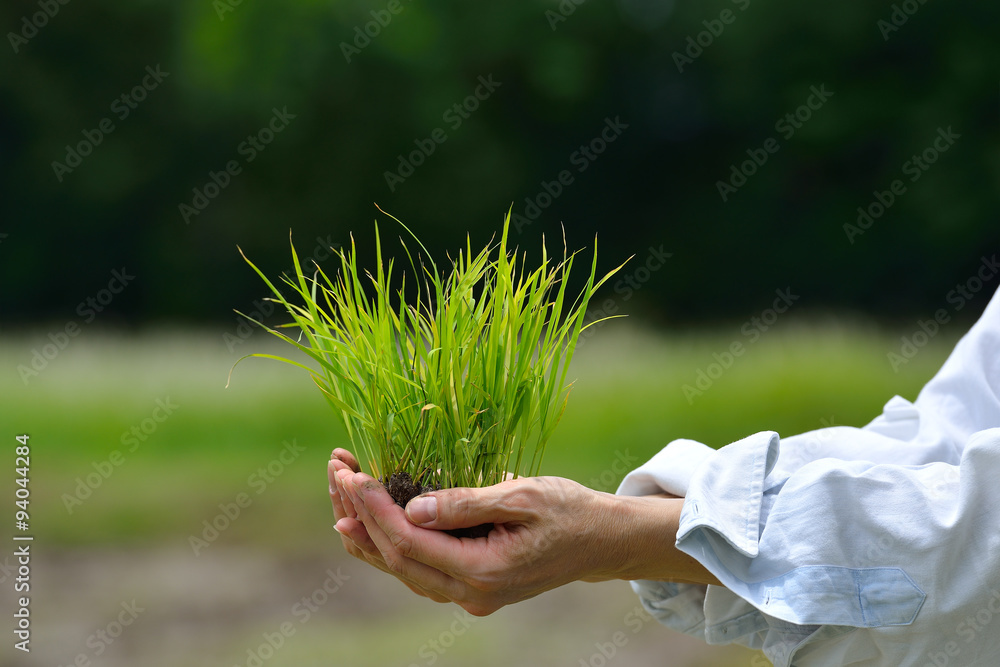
(727,146)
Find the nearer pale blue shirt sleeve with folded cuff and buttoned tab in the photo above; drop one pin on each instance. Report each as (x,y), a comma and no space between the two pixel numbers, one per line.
(844,562)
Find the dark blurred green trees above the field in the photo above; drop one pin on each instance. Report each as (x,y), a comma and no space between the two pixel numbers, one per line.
(499,103)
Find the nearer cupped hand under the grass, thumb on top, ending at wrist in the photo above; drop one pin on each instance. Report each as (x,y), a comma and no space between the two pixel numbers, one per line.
(547,532)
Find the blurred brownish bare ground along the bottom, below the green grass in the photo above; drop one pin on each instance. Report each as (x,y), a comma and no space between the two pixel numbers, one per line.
(249,608)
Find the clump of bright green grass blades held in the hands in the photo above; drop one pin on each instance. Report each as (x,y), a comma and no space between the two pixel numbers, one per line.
(455,379)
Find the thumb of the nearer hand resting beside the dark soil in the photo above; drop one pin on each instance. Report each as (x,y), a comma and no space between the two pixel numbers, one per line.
(449,509)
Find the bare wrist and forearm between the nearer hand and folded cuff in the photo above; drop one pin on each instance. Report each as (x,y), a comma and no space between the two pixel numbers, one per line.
(638,536)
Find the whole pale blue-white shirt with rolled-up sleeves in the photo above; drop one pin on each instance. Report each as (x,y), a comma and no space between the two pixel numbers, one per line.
(850,546)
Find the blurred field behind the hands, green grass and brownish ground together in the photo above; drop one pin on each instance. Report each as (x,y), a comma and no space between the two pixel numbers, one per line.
(136,442)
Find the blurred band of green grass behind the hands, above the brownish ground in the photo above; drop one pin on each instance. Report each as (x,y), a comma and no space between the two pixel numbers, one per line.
(628,396)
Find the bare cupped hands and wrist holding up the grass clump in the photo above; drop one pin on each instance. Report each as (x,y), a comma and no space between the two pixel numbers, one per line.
(548,531)
